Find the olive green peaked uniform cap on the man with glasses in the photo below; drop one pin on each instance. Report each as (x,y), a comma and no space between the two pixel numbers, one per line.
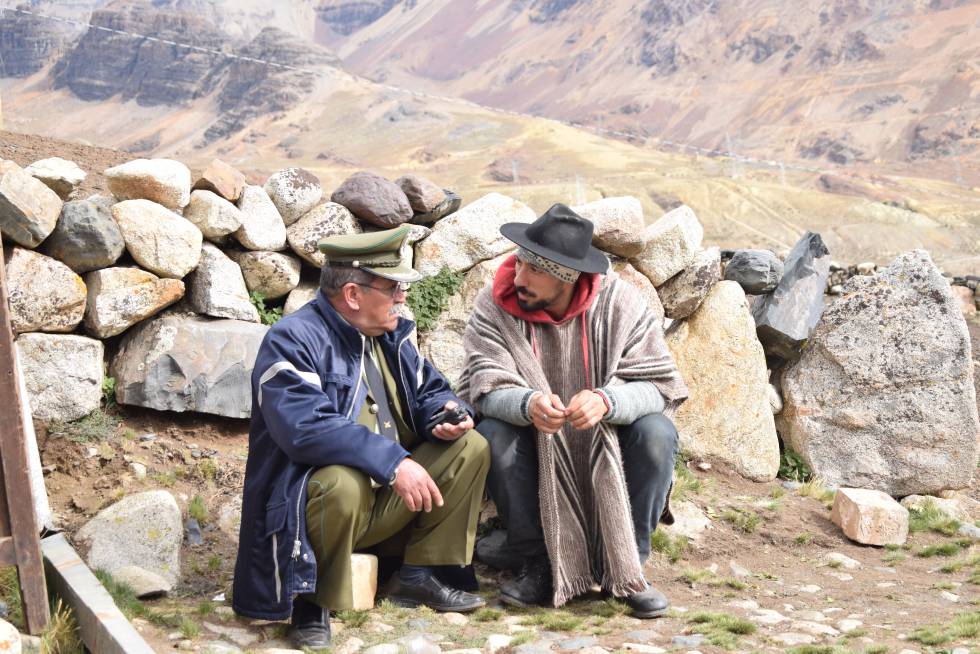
(384,253)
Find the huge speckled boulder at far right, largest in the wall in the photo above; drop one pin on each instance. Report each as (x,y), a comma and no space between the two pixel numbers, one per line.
(882,396)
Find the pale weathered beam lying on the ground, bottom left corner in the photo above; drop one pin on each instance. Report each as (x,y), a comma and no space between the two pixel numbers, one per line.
(103,627)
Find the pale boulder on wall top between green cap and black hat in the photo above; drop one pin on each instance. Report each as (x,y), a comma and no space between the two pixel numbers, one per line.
(471,235)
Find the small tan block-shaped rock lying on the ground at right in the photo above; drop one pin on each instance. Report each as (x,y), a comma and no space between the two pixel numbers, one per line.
(870,517)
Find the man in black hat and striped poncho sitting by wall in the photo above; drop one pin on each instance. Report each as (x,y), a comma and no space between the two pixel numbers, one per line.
(569,367)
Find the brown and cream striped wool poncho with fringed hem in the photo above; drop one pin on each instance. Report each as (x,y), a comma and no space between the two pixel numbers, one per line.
(585,510)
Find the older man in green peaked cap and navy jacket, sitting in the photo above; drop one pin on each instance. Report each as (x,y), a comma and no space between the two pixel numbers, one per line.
(344,452)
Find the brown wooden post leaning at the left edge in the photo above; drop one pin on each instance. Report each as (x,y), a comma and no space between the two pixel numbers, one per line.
(20,542)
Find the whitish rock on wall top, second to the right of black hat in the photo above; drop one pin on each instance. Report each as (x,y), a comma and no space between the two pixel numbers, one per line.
(671,244)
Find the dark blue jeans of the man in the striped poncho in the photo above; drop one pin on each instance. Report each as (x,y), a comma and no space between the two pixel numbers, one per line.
(649,446)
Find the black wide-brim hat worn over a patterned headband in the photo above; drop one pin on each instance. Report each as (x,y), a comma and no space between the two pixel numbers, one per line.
(562,236)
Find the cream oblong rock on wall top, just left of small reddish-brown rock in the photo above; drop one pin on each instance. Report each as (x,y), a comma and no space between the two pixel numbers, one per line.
(164,181)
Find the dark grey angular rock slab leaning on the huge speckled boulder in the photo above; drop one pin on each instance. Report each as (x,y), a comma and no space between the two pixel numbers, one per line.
(785,317)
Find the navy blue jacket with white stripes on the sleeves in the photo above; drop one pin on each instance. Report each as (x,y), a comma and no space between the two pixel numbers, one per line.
(307,392)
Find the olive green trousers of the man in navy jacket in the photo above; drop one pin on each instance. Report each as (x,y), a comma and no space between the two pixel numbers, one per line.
(345,514)
